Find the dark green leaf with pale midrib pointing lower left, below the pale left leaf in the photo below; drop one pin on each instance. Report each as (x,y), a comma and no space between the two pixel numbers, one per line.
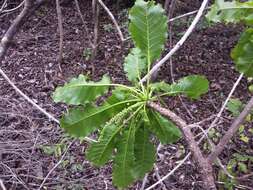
(81,123)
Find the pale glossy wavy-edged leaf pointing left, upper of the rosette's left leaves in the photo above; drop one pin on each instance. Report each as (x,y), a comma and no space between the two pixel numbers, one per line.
(79,91)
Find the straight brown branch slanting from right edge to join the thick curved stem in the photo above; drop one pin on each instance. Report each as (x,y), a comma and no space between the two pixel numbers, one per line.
(232,130)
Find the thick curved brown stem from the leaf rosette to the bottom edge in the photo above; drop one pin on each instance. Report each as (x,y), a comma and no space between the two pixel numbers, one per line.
(206,167)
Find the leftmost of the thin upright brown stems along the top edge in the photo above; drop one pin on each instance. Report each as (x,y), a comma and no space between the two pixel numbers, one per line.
(60,26)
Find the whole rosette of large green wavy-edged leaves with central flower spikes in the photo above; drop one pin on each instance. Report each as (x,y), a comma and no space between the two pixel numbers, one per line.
(124,121)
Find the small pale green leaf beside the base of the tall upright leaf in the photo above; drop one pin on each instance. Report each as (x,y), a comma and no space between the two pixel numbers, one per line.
(134,65)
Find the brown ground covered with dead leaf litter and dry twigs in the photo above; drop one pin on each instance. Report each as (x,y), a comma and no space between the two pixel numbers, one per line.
(32,65)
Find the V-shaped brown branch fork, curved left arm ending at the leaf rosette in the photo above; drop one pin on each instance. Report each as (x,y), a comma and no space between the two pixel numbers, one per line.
(204,162)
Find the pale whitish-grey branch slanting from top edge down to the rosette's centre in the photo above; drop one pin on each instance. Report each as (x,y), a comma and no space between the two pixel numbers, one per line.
(179,43)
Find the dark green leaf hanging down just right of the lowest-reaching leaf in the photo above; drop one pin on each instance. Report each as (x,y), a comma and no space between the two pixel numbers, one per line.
(144,152)
